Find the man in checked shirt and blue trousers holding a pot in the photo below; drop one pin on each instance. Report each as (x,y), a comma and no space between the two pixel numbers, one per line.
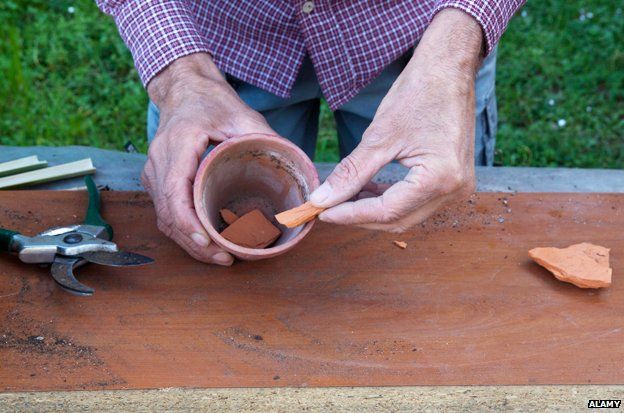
(400,75)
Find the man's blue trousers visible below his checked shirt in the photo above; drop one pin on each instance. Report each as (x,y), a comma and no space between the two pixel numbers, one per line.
(297,117)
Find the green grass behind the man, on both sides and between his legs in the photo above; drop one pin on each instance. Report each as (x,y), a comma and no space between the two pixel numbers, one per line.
(67,78)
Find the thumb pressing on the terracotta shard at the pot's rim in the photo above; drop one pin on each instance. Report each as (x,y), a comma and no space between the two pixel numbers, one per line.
(349,176)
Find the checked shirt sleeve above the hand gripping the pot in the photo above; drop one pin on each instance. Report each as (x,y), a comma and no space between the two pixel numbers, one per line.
(157,32)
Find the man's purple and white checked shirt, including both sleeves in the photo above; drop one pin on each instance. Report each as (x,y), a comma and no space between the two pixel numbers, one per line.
(264,42)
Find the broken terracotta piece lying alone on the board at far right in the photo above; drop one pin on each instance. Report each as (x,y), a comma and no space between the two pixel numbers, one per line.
(584,265)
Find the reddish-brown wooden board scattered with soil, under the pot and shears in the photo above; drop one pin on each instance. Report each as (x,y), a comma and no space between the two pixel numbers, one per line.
(462,304)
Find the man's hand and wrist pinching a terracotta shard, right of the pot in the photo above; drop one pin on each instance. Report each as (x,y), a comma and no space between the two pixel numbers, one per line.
(426,122)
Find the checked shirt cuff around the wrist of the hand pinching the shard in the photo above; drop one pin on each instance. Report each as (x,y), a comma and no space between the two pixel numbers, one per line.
(492,15)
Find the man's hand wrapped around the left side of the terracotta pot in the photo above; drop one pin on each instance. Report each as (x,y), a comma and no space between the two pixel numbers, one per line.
(197,106)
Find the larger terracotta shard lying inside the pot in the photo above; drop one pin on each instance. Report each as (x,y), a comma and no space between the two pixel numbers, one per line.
(252,230)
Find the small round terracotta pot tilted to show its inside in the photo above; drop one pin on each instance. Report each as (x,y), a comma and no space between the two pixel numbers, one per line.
(252,171)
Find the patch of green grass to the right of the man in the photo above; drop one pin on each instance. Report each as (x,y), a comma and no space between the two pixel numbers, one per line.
(561,62)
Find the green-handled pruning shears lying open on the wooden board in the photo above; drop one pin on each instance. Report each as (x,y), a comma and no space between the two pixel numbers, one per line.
(66,248)
